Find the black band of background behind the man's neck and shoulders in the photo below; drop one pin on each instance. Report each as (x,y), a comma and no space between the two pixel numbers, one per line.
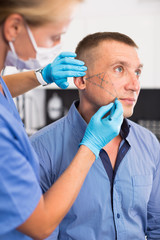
(146,113)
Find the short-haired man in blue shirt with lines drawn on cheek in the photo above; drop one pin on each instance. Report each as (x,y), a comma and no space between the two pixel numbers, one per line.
(120,198)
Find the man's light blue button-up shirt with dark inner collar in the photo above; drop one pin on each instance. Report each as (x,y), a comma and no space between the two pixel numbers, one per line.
(120,204)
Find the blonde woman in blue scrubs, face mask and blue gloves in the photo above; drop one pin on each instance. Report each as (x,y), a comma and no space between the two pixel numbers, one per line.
(26,28)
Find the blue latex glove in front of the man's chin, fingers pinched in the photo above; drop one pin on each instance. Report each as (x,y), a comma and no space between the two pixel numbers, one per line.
(101,131)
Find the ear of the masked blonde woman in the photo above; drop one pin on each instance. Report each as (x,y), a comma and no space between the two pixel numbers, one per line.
(12,26)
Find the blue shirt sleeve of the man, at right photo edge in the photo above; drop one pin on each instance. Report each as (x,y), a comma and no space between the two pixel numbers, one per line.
(153,225)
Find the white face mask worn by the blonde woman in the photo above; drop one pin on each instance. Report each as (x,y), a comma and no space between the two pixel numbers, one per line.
(43,56)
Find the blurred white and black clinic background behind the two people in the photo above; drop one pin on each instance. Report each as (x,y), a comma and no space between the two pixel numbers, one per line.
(138,19)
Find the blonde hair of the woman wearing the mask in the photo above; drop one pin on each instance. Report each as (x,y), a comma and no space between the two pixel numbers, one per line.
(37,12)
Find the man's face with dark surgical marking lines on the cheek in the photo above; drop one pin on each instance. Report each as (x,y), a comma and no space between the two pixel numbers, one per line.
(114,72)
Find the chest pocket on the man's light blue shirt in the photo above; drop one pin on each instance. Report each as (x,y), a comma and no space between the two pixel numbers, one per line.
(142,186)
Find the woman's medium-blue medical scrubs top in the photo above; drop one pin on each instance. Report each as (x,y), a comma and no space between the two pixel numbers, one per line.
(19,171)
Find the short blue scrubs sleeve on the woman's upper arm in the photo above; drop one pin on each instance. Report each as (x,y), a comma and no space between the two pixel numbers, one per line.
(19,191)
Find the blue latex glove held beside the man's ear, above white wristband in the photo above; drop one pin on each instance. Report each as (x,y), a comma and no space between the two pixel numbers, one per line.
(62,67)
